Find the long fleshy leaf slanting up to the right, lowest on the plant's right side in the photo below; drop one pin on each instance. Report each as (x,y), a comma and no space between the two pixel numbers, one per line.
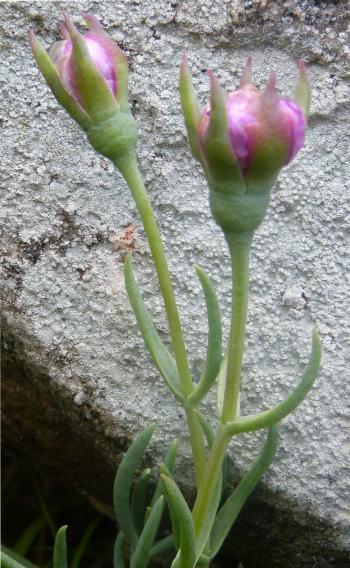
(228,513)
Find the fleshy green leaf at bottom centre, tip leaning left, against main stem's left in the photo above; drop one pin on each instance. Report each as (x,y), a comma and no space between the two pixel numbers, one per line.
(182,523)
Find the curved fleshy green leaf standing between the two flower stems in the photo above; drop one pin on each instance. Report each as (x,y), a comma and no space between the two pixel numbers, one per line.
(214,346)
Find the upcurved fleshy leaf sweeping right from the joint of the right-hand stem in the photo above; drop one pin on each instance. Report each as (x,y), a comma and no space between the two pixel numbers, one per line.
(281,410)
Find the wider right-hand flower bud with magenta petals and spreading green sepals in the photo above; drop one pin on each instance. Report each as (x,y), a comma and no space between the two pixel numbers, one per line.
(243,139)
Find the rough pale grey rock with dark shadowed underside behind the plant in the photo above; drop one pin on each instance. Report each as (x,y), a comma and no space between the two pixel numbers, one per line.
(76,366)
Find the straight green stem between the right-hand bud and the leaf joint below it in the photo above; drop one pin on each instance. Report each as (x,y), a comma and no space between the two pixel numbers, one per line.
(239,246)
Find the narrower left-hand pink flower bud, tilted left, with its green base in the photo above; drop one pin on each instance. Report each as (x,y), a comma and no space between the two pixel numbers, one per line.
(88,74)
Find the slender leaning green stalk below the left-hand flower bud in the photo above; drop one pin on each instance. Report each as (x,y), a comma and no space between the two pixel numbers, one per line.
(129,168)
